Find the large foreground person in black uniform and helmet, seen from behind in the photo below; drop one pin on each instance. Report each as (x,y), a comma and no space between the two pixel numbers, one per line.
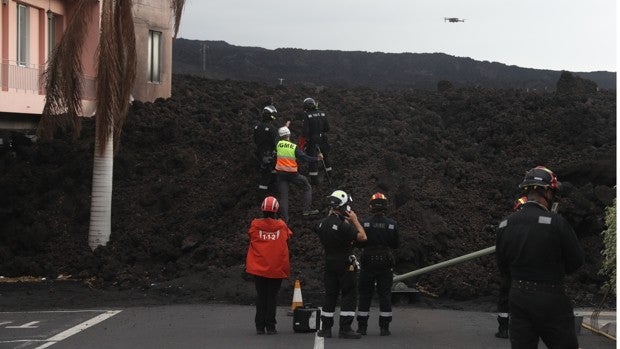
(535,248)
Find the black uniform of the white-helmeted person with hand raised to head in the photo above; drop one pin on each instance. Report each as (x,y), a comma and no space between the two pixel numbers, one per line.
(337,237)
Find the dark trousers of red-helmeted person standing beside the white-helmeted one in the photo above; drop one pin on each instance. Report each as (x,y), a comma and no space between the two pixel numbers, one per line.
(383,278)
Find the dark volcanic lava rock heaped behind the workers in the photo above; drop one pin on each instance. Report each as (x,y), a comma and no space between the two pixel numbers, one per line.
(184,186)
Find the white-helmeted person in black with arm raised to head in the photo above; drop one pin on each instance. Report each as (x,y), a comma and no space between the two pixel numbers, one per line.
(337,233)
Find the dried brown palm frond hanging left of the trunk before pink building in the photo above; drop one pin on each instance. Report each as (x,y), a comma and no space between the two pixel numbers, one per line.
(64,77)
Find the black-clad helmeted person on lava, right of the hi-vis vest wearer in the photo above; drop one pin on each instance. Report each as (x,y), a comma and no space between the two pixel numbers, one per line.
(314,137)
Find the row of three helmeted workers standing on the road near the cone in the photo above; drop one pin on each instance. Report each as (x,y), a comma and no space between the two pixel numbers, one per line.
(339,233)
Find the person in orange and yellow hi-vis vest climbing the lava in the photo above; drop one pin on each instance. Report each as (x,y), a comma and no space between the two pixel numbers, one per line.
(288,172)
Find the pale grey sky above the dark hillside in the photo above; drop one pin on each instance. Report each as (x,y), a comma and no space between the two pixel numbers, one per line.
(574,35)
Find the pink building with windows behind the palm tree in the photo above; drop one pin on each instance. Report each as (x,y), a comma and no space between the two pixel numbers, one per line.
(30,29)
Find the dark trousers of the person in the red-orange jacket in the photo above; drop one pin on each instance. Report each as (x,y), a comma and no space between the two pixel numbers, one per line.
(266,295)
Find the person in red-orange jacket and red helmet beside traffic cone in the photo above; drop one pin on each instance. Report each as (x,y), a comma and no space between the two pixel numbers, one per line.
(268,261)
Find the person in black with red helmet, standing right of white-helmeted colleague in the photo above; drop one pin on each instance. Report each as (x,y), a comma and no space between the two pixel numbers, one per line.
(377,263)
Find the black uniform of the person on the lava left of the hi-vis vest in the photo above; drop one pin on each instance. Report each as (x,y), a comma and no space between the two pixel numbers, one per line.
(265,138)
